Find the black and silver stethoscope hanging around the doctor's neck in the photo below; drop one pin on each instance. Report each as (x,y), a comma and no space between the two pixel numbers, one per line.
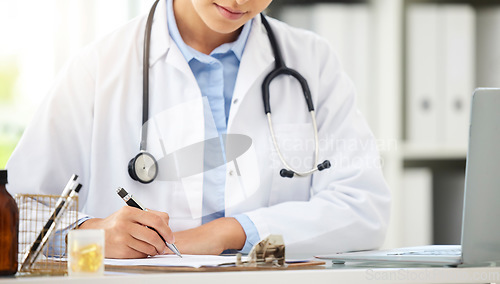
(144,167)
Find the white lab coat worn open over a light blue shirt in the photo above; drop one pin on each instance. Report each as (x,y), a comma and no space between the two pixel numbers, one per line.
(90,125)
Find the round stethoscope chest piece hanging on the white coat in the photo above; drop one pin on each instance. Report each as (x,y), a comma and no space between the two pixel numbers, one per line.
(143,168)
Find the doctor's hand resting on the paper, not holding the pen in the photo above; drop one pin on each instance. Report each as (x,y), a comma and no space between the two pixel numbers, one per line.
(211,238)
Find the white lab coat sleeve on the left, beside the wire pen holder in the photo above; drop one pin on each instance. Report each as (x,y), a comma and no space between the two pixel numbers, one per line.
(57,142)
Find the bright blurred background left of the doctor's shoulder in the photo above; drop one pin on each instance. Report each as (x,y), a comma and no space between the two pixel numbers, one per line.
(36,38)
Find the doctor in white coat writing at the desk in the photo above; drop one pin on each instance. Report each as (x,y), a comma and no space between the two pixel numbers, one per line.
(208,57)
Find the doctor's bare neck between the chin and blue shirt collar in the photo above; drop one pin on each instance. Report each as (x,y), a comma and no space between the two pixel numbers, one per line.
(195,32)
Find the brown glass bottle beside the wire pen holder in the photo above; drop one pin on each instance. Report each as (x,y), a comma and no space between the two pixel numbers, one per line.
(9,229)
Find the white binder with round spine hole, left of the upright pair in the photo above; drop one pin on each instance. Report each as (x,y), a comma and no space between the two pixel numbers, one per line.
(422,75)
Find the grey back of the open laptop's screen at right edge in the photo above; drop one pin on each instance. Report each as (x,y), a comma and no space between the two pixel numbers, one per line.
(481,219)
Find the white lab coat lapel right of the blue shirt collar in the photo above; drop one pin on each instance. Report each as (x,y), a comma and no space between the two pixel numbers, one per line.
(256,59)
